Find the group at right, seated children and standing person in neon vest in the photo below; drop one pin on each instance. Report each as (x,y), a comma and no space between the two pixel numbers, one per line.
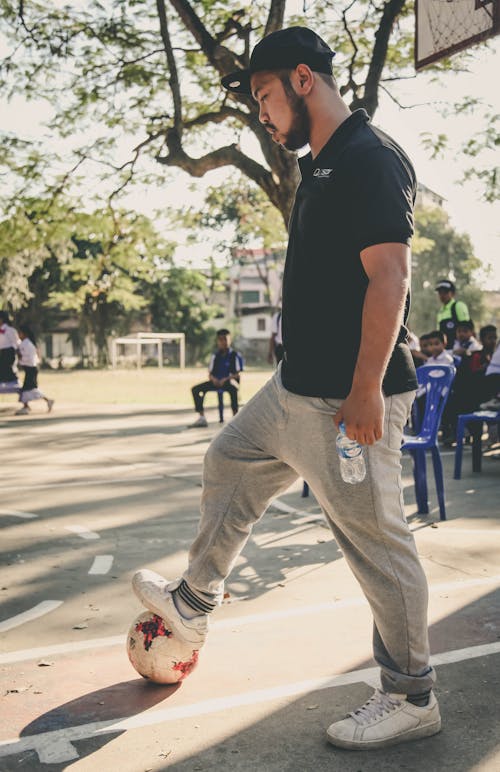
(477,361)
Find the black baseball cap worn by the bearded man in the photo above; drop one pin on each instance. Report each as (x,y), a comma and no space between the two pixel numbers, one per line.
(284,49)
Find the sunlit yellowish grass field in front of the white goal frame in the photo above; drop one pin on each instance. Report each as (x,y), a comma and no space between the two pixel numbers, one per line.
(146,386)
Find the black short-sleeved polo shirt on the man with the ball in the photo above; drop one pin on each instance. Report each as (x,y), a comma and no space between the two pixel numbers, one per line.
(359,191)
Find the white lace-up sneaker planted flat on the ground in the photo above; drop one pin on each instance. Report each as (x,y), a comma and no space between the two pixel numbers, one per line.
(385,719)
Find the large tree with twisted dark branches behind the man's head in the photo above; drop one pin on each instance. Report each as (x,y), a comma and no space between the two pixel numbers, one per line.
(153,72)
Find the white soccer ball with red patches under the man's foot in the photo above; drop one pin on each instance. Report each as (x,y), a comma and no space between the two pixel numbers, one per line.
(157,652)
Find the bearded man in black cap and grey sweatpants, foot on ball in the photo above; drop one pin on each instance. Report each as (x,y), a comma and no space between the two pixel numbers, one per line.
(347,269)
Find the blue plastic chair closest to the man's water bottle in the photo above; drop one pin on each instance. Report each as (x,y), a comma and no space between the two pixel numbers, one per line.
(435,382)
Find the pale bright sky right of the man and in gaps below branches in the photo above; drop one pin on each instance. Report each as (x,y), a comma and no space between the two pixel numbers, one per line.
(463,201)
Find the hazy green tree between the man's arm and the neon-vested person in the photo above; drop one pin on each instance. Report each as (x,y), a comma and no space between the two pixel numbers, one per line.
(440,252)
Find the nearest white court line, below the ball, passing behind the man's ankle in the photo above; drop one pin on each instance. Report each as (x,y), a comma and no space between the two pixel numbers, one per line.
(54,745)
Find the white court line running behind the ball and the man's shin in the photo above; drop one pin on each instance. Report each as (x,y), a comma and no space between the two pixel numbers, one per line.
(223,624)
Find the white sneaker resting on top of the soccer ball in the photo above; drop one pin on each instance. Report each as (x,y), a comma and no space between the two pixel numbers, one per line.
(155,593)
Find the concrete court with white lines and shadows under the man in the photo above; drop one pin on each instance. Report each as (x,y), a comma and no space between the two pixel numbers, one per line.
(88,495)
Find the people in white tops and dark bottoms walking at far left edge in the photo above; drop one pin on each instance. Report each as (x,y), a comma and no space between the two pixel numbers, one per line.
(21,345)
